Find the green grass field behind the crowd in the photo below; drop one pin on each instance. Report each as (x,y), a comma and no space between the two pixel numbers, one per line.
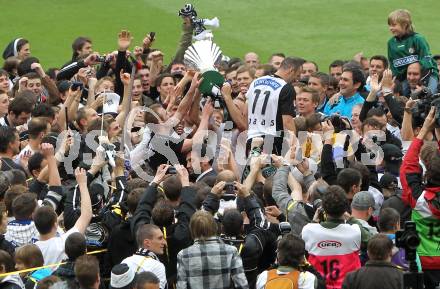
(320,30)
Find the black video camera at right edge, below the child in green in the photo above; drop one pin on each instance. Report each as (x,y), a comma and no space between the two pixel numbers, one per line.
(421,110)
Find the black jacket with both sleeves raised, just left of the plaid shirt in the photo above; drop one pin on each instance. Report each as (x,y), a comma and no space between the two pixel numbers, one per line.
(178,234)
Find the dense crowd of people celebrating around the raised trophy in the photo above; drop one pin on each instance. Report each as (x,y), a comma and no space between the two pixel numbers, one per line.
(117,172)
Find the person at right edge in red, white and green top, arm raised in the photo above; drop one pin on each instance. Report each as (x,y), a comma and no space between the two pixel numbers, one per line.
(424,200)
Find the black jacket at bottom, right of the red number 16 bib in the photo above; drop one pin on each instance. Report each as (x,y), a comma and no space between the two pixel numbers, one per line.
(375,274)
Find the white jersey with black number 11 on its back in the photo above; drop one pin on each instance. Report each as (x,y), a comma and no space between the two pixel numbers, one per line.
(262,97)
